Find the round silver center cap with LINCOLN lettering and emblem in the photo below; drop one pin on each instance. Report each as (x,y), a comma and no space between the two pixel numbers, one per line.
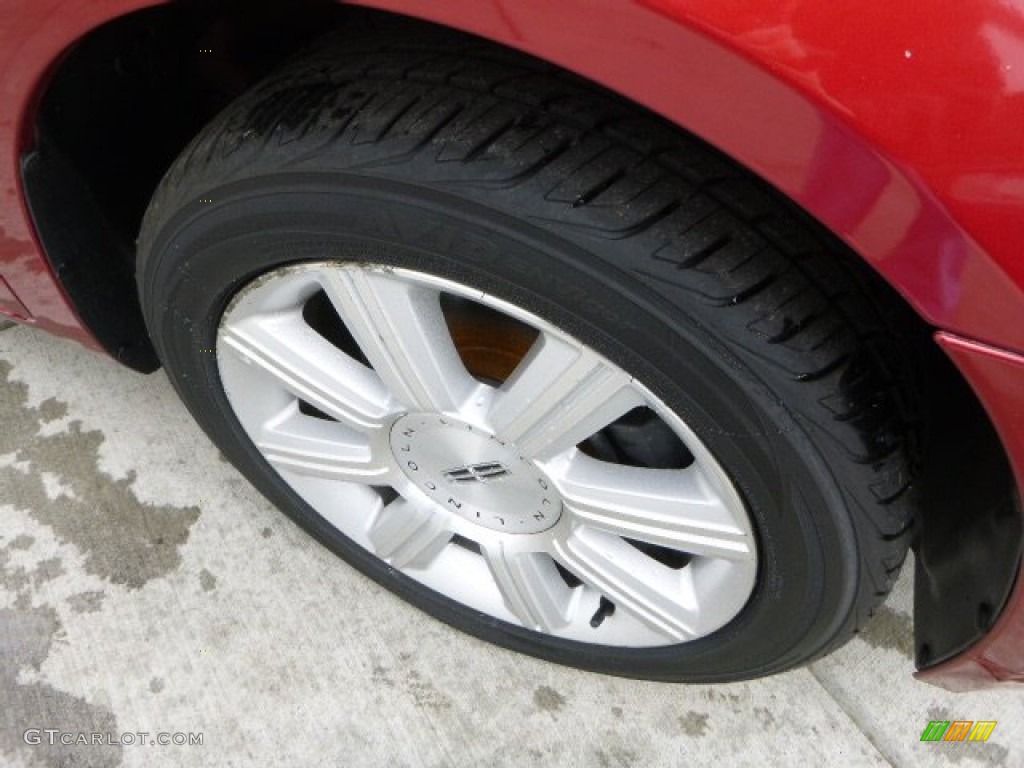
(472,474)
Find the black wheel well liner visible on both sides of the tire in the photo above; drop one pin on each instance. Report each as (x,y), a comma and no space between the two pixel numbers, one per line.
(130,96)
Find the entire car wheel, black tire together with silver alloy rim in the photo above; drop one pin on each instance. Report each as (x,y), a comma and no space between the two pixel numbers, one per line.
(545,367)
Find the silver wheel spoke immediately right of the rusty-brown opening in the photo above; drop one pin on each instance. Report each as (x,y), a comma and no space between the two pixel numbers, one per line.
(559,397)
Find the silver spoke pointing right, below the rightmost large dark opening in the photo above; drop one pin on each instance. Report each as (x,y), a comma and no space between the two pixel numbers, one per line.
(674,508)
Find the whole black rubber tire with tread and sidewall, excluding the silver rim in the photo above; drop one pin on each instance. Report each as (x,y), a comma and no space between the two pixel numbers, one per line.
(454,158)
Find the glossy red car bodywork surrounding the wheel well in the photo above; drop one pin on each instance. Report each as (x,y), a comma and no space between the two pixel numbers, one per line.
(898,126)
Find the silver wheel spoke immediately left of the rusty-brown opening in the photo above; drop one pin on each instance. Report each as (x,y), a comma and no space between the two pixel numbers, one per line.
(400,327)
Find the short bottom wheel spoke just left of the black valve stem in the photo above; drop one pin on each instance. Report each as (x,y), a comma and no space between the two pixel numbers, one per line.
(531,587)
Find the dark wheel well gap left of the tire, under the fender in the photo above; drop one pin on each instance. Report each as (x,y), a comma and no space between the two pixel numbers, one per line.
(120,106)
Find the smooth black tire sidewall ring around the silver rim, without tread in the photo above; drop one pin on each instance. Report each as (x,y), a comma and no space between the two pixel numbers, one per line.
(192,266)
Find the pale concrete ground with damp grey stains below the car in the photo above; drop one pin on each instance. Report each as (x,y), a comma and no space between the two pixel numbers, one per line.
(145,587)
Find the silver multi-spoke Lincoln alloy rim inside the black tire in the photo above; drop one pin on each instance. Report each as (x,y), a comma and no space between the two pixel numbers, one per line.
(480,491)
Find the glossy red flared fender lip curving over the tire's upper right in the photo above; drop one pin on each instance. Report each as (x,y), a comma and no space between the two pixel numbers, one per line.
(692,67)
